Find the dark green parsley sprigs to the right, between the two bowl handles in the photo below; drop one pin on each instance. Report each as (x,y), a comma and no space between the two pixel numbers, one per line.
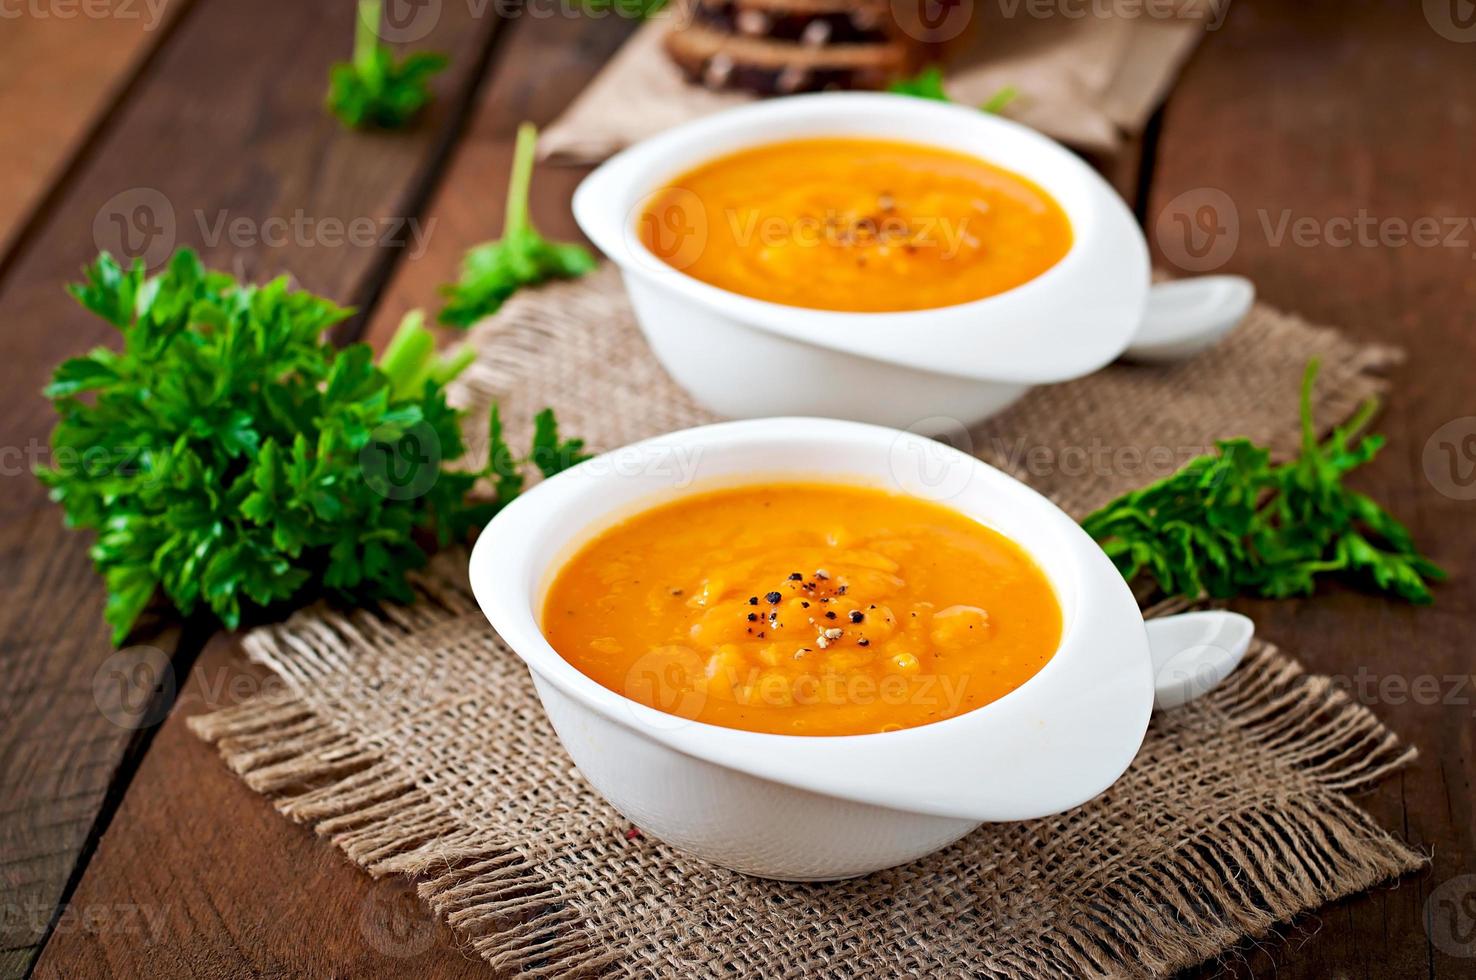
(1238,525)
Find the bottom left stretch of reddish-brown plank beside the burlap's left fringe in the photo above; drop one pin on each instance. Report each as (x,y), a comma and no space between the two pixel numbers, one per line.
(200,877)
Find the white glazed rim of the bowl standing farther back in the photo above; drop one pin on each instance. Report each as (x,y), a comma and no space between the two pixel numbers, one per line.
(1072,320)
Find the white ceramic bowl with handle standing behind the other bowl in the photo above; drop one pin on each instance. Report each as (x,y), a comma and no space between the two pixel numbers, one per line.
(928,370)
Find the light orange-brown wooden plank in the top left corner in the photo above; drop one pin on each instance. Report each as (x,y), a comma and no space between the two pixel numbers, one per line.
(66,67)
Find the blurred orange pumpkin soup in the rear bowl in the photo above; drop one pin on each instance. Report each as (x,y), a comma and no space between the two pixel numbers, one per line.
(857,225)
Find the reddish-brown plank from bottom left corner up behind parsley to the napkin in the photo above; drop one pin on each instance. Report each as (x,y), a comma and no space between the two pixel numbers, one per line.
(243,891)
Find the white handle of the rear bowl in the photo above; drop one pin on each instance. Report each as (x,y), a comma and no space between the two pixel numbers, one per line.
(1186,317)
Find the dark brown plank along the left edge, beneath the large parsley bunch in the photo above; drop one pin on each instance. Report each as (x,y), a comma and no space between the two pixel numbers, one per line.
(224,145)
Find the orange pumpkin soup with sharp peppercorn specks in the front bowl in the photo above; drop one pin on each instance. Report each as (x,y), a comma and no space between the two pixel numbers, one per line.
(805,610)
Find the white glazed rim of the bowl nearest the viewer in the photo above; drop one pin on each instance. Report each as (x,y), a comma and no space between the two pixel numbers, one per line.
(1049,746)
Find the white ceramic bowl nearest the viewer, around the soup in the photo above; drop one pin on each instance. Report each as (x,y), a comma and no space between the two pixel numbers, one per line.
(811,808)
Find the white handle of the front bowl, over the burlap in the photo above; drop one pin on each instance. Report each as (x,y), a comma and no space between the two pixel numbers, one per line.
(1193,653)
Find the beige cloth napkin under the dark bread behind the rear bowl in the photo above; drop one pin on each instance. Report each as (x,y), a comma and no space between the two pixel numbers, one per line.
(1090,73)
